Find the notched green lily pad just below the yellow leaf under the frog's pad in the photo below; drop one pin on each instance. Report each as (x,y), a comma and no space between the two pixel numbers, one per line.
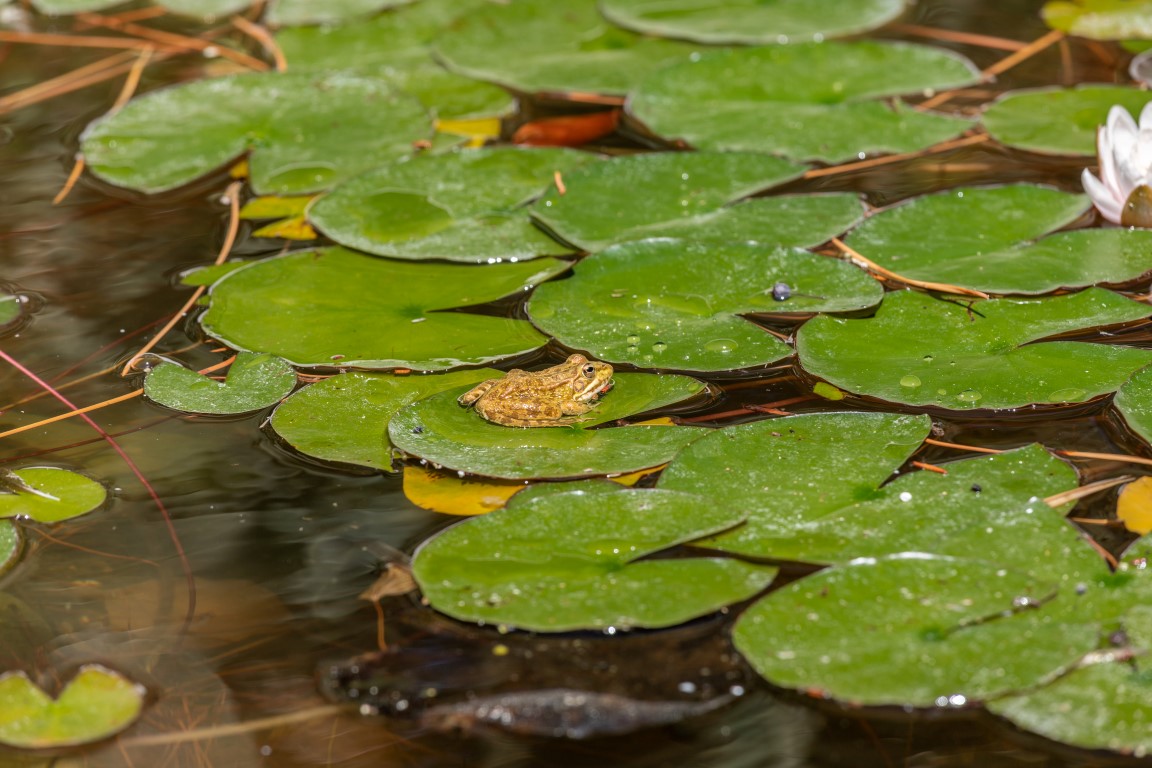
(564,562)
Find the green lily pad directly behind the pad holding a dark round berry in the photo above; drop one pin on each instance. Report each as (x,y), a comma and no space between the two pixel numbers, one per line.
(688,195)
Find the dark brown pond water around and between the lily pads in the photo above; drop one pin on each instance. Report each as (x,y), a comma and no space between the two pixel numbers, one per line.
(282,548)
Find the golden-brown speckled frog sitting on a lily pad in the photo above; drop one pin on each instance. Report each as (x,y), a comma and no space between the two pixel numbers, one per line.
(556,397)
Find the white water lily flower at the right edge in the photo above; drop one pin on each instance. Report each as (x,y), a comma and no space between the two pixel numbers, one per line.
(1123,194)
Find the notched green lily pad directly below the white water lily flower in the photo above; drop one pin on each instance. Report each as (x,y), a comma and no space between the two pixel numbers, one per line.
(983,239)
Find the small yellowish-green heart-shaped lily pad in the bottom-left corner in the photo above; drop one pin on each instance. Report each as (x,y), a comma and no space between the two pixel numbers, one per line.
(95,705)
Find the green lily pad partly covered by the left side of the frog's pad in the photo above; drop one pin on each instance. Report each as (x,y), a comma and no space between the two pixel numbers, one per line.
(345,419)
